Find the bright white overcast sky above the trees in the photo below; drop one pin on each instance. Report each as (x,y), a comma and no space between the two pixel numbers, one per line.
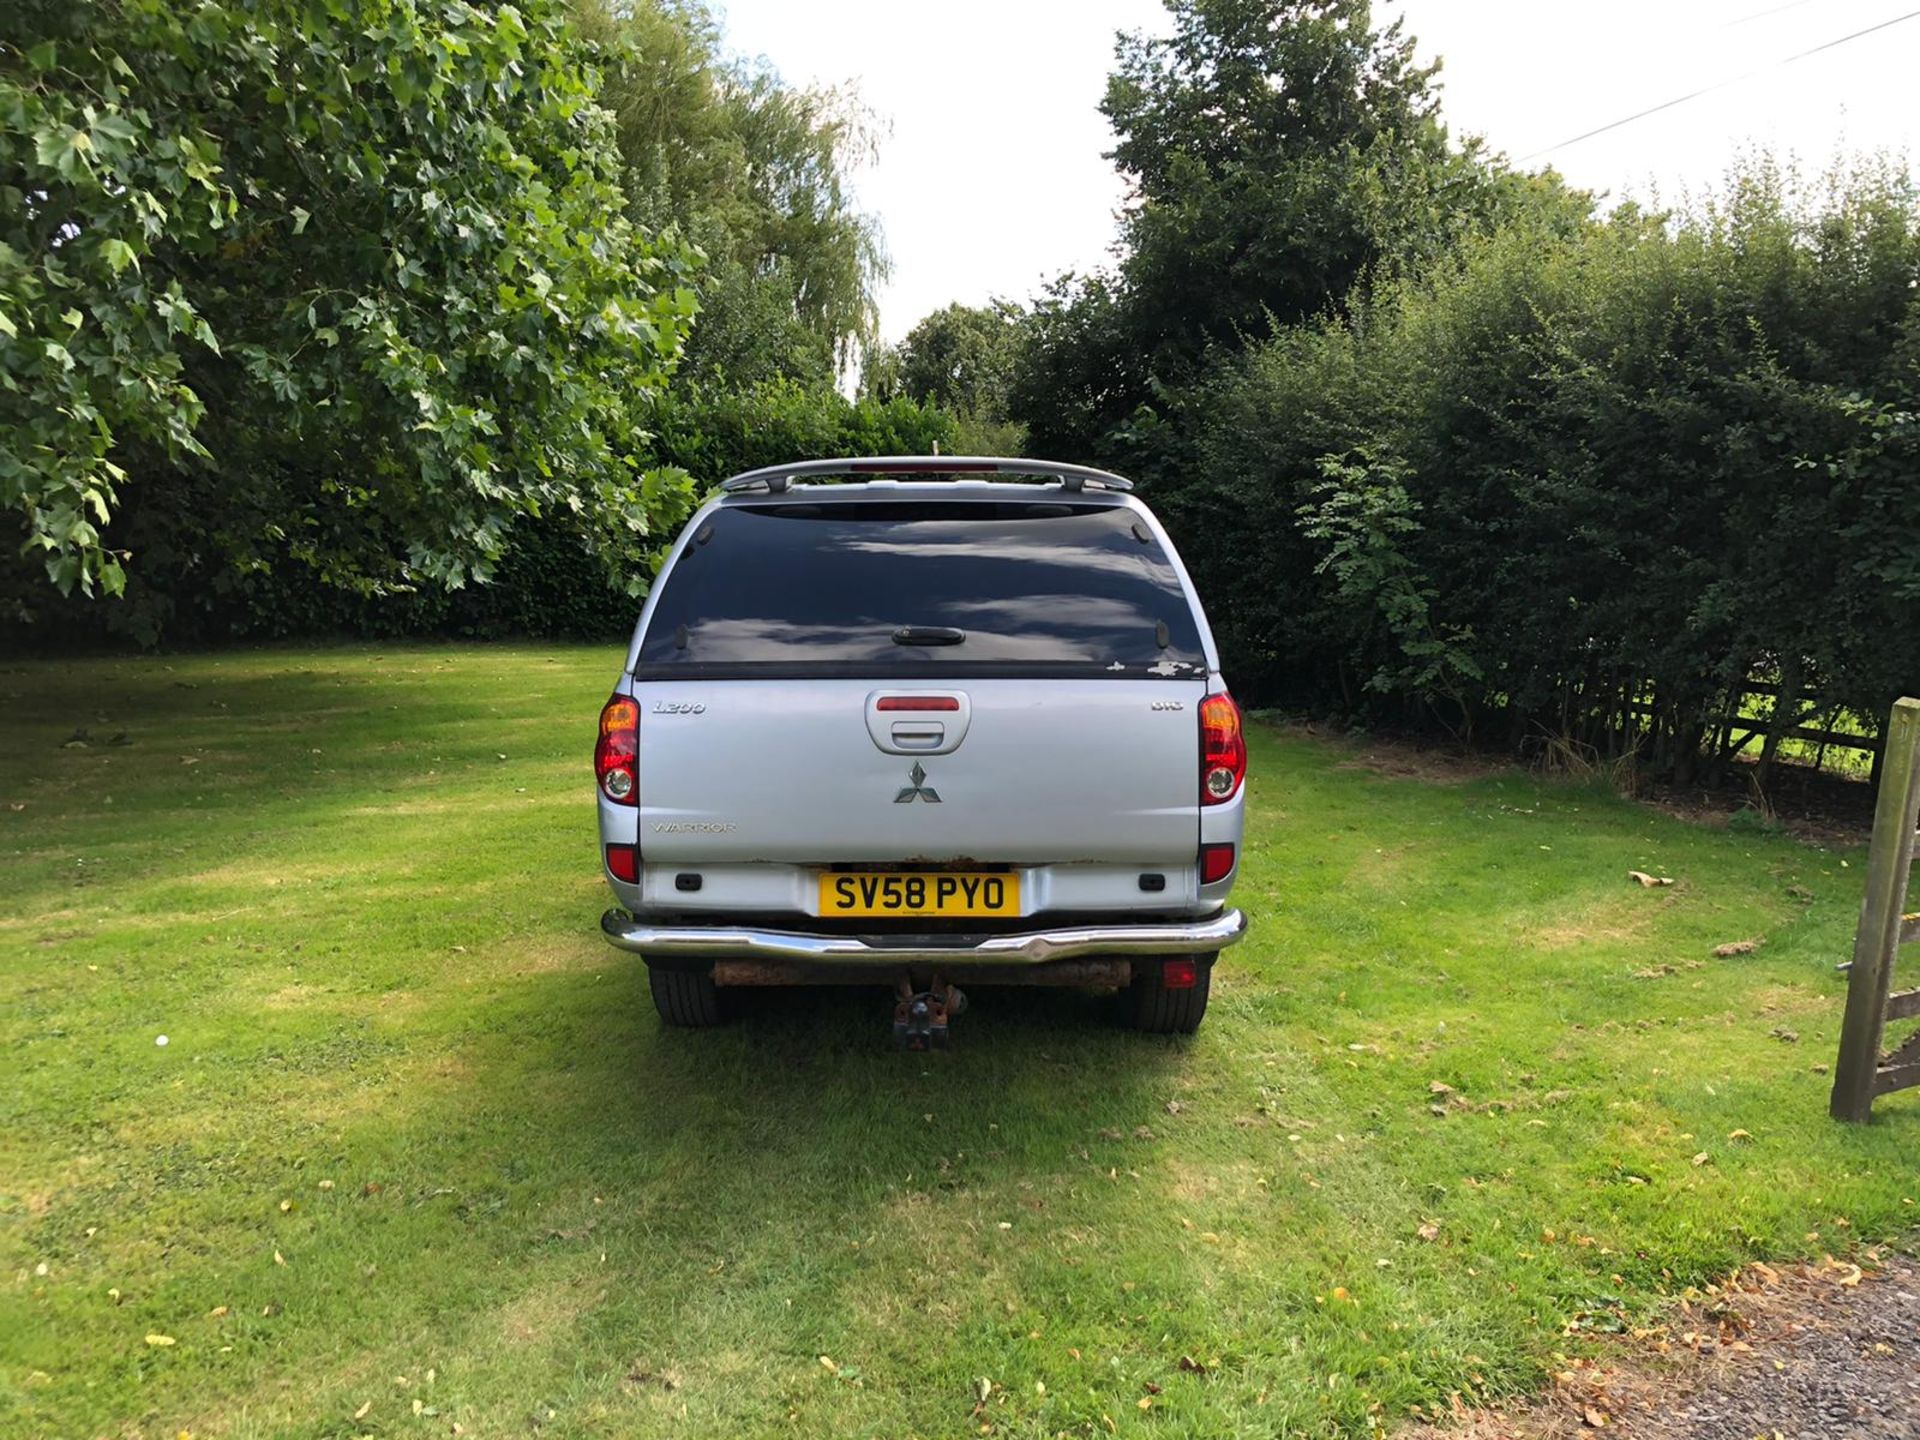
(992,178)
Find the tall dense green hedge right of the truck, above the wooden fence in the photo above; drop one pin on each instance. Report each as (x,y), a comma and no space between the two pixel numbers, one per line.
(1587,485)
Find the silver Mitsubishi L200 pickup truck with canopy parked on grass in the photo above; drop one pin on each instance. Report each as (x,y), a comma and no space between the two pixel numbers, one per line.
(921,723)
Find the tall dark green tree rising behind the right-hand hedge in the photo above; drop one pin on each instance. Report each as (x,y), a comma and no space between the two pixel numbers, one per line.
(1278,155)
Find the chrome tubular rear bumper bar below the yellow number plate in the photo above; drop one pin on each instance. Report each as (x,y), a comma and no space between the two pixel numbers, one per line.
(1020,948)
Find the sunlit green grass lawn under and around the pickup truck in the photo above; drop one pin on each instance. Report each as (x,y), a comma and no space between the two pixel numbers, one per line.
(418,1159)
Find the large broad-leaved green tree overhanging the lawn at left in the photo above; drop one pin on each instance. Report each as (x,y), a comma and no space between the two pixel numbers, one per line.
(337,285)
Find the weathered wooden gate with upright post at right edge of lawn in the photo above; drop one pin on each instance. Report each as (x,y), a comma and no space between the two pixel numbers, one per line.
(1884,928)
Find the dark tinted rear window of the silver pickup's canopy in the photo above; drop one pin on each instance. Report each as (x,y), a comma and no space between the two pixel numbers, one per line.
(825,590)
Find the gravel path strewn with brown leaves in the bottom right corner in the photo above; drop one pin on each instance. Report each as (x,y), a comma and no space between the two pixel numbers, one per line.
(1808,1355)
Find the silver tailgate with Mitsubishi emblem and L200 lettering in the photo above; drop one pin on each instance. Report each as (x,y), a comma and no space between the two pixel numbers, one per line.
(1015,771)
